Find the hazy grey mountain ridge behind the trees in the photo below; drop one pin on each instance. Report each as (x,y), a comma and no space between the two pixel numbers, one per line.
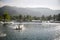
(28,11)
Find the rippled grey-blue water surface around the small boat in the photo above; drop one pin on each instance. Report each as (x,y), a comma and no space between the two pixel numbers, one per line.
(30,31)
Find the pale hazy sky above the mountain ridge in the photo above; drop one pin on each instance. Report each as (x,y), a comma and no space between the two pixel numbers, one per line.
(52,4)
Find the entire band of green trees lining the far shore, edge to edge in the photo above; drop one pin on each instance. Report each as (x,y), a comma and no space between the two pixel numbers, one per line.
(7,17)
